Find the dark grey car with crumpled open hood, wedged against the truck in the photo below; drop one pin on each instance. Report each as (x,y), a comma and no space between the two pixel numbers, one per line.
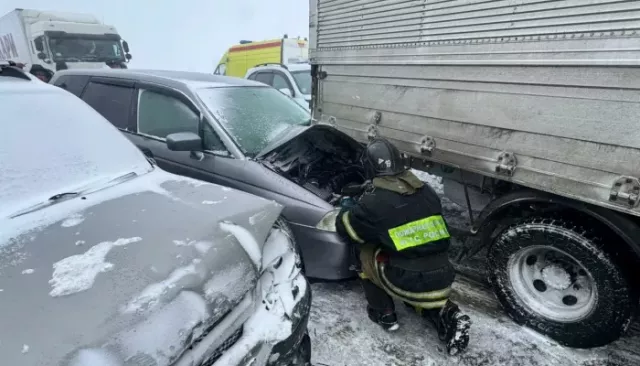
(237,133)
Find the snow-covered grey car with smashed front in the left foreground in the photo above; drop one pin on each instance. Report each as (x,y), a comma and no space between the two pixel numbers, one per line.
(106,259)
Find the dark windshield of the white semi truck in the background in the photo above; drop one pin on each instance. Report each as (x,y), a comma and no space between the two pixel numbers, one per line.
(85,49)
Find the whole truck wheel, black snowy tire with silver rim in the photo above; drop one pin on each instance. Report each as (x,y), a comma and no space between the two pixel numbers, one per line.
(554,277)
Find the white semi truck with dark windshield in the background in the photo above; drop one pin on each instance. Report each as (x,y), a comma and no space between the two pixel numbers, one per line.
(51,41)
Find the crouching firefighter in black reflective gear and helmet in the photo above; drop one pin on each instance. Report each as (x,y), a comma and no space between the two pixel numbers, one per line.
(401,241)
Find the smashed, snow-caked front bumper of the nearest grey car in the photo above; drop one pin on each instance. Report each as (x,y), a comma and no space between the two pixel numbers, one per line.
(268,327)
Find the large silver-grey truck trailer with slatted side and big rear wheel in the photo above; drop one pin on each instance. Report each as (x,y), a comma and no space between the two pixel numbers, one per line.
(529,109)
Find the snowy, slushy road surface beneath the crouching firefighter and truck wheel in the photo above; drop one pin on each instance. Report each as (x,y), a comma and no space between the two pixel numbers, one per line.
(342,335)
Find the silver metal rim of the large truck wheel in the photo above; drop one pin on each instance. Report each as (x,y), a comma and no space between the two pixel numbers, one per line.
(552,283)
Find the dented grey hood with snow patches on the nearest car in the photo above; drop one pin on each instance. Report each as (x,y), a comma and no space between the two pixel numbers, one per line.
(131,275)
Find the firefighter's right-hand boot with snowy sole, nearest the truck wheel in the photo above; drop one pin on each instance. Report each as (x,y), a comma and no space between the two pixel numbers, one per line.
(453,327)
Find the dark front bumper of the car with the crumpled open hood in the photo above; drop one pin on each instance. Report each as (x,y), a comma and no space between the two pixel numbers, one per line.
(324,253)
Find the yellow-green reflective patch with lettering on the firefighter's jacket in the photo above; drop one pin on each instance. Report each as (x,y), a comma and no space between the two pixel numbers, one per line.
(420,232)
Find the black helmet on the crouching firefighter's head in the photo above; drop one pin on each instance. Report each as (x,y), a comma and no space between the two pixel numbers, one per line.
(382,158)
